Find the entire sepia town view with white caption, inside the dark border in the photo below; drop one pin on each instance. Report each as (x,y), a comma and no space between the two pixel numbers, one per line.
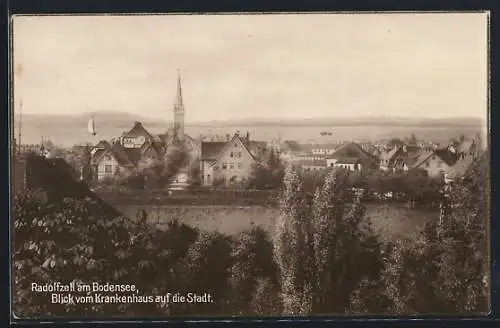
(250,165)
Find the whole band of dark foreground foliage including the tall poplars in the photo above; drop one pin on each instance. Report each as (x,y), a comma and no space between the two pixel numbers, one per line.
(325,258)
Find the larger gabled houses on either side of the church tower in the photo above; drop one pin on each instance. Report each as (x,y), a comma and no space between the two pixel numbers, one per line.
(229,161)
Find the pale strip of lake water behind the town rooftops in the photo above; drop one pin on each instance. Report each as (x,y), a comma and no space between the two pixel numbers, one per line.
(67,135)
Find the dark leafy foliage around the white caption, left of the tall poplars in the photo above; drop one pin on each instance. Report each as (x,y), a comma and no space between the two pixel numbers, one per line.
(80,241)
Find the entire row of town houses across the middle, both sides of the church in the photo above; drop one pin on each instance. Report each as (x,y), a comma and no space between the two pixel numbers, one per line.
(231,161)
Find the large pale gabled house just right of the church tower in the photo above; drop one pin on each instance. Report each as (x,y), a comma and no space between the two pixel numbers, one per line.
(231,161)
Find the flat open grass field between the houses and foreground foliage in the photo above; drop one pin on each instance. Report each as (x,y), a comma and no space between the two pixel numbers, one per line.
(389,221)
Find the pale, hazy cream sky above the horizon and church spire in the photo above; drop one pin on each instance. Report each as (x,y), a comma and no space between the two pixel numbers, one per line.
(274,66)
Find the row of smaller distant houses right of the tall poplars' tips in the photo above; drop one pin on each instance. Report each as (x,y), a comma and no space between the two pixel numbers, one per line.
(450,161)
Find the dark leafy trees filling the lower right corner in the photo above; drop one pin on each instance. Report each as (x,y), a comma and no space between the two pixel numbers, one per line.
(444,270)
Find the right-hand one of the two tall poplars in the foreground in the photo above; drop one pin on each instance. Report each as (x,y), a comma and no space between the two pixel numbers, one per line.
(345,248)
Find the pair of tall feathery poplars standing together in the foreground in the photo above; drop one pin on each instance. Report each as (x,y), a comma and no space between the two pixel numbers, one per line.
(322,253)
